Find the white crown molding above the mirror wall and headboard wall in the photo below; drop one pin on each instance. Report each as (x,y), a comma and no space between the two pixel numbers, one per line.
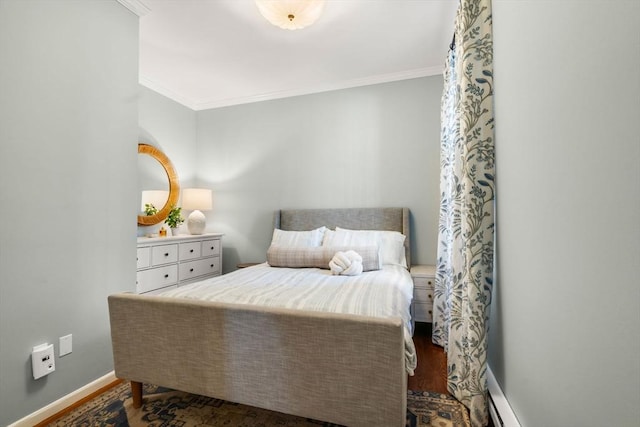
(346,84)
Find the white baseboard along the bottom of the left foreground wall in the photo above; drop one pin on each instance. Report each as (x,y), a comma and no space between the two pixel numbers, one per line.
(67,401)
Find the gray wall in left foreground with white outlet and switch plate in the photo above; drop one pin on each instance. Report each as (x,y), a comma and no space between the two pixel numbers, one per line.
(68,129)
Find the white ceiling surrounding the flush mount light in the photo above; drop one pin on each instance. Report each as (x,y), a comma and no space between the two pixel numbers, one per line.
(214,53)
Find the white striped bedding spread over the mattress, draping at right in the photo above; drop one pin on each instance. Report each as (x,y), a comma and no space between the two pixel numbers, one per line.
(382,293)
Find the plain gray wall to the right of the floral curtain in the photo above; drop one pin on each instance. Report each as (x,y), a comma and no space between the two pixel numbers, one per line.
(564,338)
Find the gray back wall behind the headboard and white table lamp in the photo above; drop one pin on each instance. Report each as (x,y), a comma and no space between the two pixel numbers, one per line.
(369,146)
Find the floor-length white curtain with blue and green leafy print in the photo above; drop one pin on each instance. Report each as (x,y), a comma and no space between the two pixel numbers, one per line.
(466,231)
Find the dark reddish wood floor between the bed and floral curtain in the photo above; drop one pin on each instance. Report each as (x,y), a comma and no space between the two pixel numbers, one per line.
(431,373)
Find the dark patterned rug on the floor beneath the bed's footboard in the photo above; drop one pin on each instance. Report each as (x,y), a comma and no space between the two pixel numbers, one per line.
(163,407)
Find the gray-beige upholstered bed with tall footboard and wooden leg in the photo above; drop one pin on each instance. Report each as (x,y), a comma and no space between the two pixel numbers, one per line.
(348,368)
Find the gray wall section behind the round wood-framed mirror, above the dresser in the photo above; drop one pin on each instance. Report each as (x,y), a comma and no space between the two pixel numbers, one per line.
(171,127)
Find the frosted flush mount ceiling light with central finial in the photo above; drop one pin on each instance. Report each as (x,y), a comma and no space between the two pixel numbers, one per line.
(291,14)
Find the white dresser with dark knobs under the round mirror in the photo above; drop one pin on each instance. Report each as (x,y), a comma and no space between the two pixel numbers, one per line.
(168,262)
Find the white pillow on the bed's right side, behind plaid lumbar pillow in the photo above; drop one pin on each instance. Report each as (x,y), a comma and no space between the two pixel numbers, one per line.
(391,243)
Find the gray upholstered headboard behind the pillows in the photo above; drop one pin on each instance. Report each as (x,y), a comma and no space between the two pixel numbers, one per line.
(392,219)
